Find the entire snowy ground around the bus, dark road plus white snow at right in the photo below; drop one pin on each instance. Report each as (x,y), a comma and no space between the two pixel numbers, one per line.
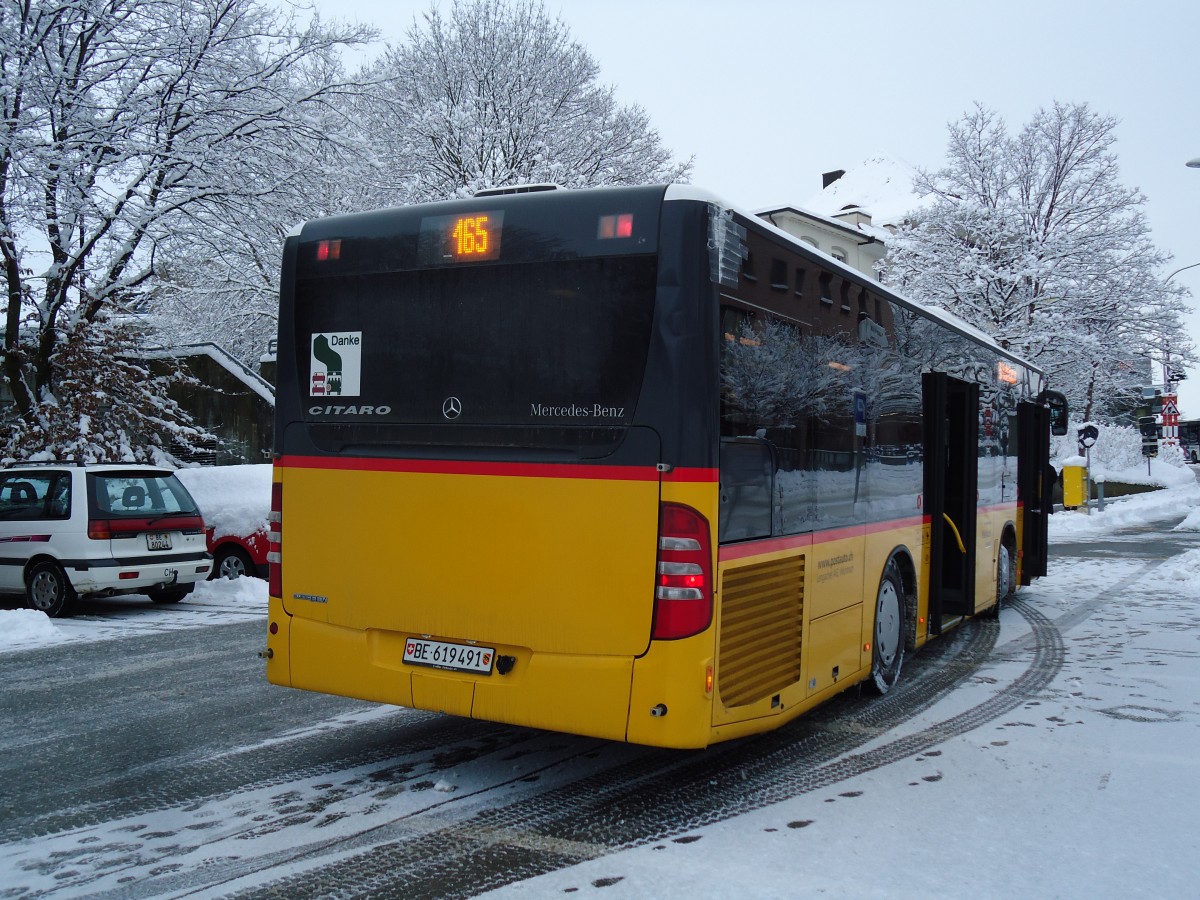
(159,764)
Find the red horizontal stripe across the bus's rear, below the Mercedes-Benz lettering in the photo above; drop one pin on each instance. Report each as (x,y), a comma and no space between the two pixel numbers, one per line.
(511,470)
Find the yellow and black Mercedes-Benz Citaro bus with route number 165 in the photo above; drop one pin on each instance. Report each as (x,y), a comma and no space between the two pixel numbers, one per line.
(629,464)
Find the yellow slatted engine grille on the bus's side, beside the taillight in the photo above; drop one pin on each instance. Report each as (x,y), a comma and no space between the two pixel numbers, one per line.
(763,614)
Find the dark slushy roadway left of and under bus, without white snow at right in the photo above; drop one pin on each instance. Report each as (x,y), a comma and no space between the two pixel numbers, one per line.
(199,777)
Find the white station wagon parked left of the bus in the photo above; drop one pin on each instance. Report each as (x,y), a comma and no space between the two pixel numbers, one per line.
(70,531)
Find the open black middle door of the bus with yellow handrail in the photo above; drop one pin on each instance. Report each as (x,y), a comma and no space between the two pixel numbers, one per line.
(951,475)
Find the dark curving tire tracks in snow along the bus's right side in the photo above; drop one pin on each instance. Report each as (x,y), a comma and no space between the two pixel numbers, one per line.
(663,794)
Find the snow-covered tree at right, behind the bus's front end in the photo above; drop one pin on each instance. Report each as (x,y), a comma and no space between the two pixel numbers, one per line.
(1034,239)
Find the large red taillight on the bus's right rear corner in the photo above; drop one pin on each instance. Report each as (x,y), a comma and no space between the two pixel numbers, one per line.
(683,593)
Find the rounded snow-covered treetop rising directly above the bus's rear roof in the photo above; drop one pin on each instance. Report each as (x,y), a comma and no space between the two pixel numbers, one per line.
(499,93)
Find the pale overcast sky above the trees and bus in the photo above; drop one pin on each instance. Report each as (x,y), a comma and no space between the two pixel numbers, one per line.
(770,94)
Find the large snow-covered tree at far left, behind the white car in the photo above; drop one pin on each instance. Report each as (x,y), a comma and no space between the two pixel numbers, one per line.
(133,128)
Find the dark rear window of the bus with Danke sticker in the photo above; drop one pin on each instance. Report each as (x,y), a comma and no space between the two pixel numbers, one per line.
(551,345)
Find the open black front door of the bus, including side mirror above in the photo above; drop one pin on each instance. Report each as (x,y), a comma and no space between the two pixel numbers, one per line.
(1035,478)
